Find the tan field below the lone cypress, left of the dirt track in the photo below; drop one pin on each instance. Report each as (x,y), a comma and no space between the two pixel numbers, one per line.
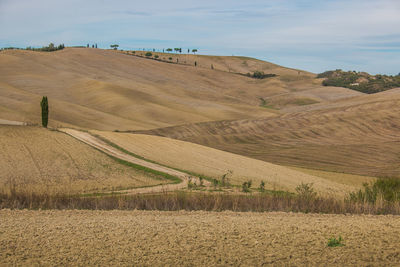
(35,159)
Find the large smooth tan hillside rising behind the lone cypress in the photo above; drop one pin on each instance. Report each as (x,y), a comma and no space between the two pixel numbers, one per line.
(108,90)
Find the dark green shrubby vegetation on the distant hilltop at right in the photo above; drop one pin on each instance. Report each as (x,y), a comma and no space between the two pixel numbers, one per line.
(360,81)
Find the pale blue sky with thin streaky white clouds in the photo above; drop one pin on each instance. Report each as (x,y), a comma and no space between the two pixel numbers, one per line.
(313,35)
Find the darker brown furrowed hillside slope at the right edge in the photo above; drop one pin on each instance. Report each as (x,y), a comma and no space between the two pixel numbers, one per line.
(358,135)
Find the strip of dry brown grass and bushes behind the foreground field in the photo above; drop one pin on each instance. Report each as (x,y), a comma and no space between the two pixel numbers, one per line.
(380,198)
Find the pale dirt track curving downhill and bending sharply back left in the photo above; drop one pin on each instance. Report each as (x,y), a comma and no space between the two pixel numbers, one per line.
(99,144)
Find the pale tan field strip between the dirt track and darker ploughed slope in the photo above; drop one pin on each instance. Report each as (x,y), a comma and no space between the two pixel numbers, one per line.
(215,163)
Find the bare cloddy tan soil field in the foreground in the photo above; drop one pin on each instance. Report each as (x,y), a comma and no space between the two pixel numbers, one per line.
(149,238)
